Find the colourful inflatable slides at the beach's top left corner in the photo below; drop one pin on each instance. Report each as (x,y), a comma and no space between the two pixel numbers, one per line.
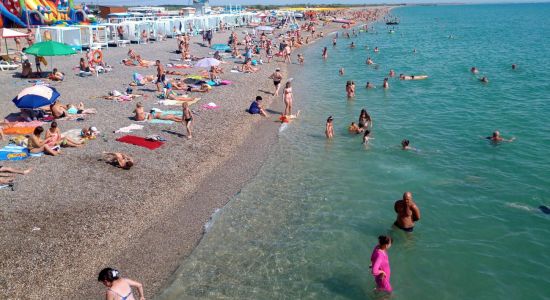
(26,13)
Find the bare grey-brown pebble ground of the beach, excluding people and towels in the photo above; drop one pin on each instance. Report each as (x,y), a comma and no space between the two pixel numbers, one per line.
(132,228)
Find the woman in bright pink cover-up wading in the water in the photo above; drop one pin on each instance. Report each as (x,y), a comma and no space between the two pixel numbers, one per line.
(380,264)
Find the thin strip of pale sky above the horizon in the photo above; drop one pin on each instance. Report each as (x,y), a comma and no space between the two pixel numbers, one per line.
(225,2)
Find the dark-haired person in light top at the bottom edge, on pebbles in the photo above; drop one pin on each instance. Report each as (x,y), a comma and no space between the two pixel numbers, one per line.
(118,287)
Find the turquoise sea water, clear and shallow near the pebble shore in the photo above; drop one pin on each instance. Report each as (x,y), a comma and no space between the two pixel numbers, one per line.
(306,226)
